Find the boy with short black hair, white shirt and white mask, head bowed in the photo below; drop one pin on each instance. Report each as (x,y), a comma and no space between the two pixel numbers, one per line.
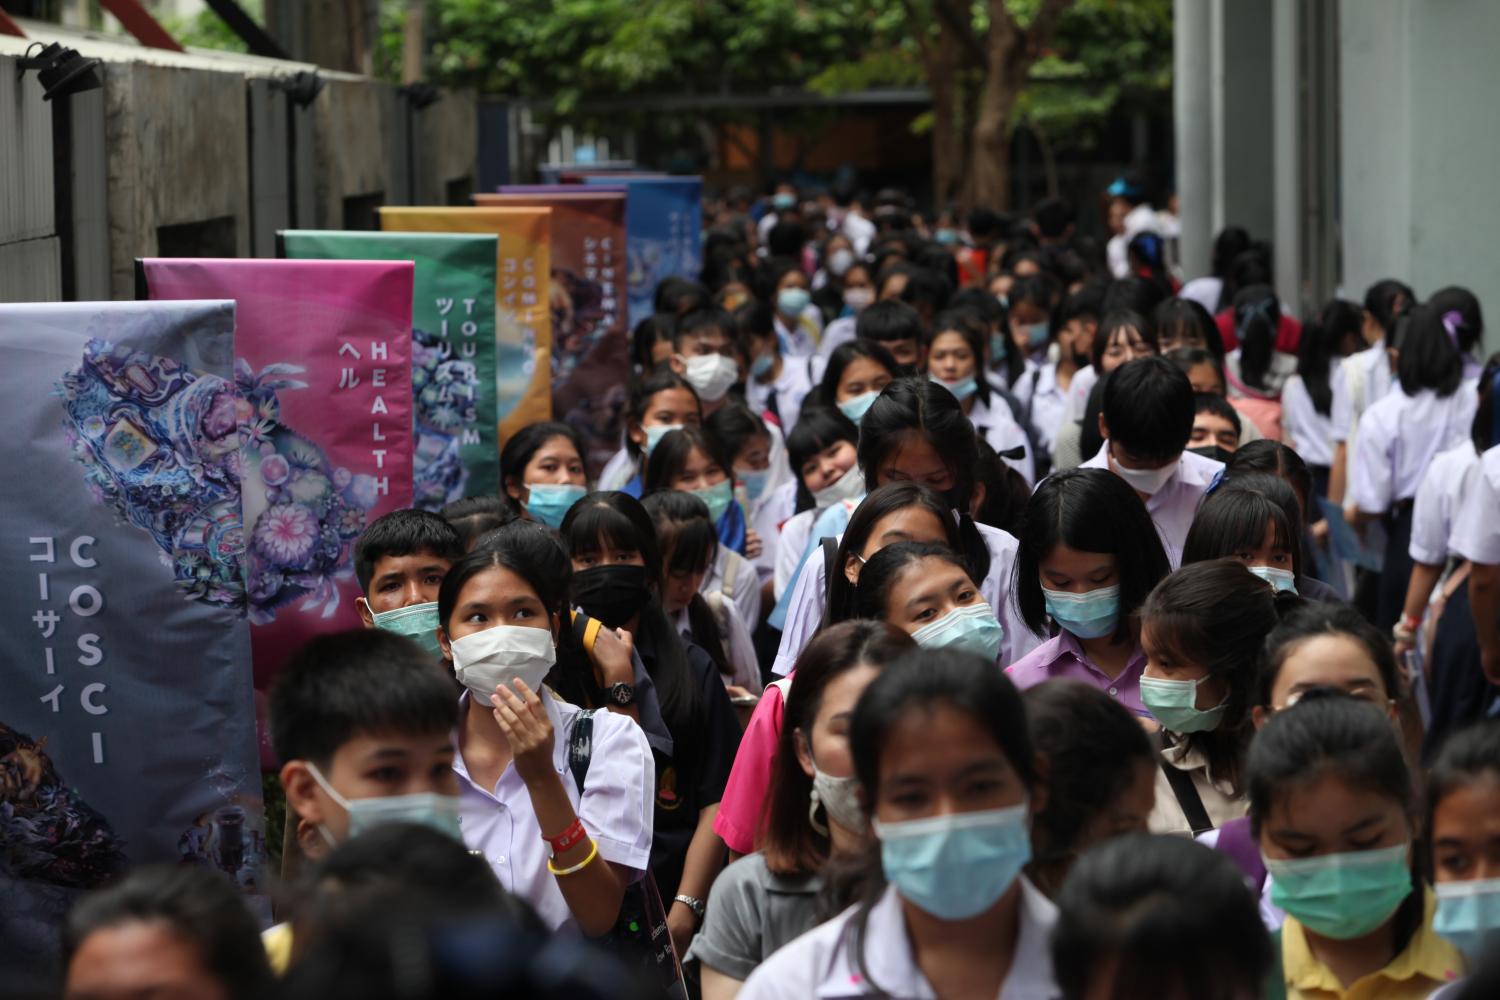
(1147,422)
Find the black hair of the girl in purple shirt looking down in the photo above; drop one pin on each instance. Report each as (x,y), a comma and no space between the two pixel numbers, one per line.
(1088,510)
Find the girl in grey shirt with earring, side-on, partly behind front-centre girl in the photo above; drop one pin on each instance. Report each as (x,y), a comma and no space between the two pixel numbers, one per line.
(770,897)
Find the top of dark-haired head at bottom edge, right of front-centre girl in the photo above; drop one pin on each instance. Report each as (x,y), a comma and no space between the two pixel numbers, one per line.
(1159,917)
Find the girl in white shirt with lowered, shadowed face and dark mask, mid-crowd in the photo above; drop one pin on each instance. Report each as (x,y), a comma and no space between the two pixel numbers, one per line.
(916,433)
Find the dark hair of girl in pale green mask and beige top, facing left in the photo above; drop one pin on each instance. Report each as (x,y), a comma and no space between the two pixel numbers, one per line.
(1217,615)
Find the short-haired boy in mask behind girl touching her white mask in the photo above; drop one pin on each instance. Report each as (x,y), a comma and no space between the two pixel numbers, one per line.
(400,563)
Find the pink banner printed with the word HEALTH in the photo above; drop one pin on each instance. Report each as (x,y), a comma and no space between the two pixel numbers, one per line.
(323,367)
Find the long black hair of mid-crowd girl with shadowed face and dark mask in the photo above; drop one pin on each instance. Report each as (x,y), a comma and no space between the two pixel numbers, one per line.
(917,407)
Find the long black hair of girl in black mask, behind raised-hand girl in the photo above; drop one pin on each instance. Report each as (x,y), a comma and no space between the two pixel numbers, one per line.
(619,521)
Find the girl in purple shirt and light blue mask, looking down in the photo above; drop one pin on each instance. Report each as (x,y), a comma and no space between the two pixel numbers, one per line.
(1088,560)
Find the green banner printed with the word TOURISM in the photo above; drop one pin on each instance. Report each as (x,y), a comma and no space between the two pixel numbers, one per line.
(452,350)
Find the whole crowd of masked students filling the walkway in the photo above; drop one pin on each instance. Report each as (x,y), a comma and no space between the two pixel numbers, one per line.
(962,617)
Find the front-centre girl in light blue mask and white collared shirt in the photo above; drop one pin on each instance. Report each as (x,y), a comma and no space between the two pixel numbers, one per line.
(947,768)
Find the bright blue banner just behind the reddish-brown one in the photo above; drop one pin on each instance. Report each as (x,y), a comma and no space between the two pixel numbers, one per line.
(664,230)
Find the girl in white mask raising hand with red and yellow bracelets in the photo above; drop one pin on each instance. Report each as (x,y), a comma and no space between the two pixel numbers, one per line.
(566,852)
